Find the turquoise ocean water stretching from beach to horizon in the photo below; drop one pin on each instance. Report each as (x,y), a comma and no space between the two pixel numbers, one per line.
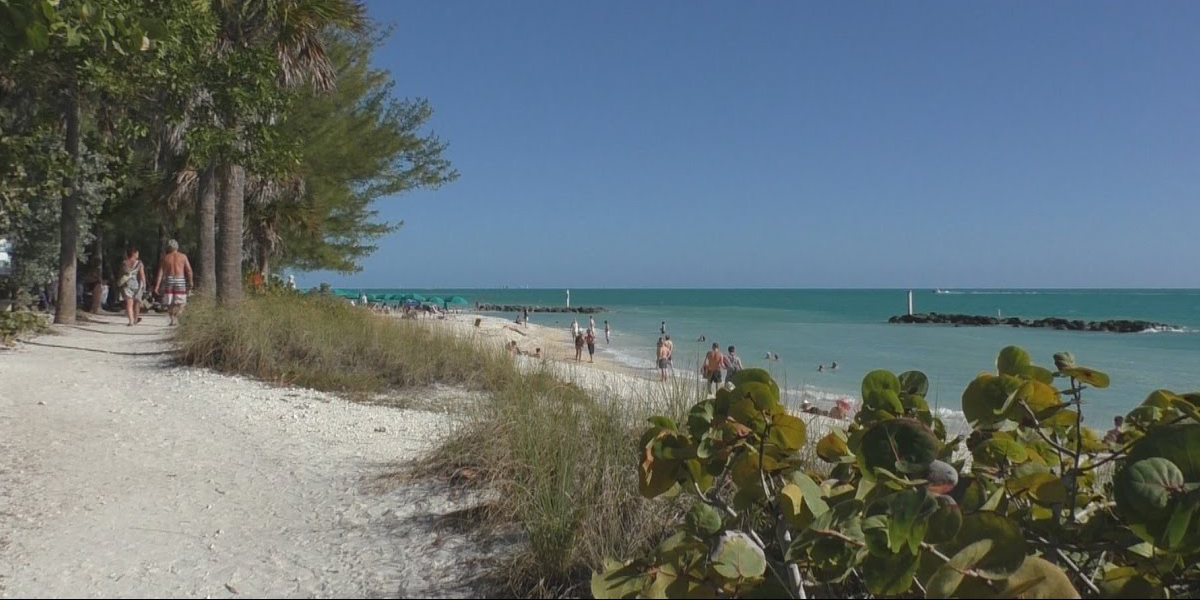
(808,328)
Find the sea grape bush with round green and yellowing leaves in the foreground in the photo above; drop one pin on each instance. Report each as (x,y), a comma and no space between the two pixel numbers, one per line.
(1028,505)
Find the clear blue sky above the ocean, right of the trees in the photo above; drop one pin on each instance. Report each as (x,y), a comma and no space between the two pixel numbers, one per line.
(800,145)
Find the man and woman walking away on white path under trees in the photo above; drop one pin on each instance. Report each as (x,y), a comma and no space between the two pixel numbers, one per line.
(173,283)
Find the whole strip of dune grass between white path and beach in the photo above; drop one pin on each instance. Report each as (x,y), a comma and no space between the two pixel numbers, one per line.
(557,460)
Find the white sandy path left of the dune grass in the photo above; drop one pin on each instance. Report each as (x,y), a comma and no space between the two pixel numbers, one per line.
(123,476)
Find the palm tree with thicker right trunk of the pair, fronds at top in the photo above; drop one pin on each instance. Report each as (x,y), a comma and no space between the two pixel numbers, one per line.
(293,29)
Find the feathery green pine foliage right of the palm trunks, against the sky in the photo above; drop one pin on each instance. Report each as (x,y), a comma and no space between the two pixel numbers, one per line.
(361,145)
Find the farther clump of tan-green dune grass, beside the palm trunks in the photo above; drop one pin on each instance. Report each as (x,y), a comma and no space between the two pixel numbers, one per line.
(329,345)
